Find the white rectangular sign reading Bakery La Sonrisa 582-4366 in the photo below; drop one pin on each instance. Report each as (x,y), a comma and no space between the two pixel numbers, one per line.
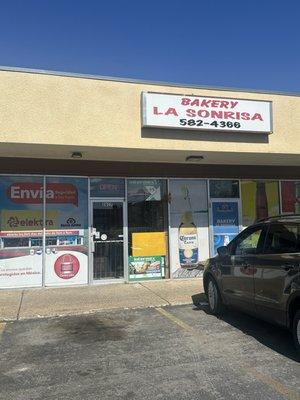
(206,113)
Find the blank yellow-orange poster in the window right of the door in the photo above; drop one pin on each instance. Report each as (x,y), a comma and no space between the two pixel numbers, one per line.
(148,244)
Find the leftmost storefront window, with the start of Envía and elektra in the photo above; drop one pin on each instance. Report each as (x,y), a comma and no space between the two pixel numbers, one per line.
(21,230)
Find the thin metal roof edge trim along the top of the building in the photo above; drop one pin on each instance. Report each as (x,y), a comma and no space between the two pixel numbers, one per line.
(141,81)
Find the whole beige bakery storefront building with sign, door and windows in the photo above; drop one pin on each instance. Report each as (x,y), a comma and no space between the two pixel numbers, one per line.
(106,180)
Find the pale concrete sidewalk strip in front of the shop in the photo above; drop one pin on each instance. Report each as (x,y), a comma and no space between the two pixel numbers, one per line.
(50,302)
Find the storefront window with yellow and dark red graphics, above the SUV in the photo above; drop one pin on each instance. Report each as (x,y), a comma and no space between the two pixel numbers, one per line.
(260,199)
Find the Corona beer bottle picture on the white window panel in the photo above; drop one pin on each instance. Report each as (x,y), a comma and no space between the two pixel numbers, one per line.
(187,240)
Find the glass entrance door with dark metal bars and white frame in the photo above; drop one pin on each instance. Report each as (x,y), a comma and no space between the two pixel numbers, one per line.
(108,239)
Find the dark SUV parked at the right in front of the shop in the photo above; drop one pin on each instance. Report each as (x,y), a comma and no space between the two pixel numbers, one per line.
(259,273)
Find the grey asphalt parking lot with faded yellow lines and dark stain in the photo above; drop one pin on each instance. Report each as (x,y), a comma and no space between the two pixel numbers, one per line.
(176,352)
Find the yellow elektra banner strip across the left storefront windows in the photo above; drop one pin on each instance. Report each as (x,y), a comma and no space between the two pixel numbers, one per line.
(27,220)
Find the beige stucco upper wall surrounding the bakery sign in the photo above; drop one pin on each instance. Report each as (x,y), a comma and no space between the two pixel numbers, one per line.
(49,116)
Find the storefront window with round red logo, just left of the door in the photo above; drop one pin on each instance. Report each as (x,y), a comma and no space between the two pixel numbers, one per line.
(66,260)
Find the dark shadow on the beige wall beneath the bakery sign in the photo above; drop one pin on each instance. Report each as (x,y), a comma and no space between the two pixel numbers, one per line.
(212,136)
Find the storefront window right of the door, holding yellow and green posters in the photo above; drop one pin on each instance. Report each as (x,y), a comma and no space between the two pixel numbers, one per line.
(147,228)
